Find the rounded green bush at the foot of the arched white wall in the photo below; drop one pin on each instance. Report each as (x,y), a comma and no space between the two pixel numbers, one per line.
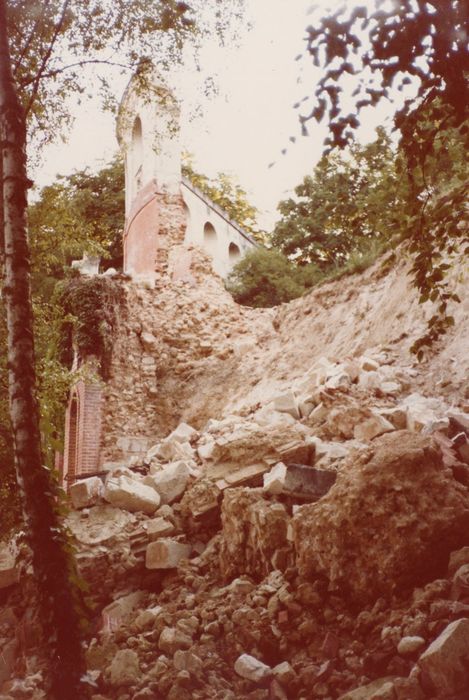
(264,278)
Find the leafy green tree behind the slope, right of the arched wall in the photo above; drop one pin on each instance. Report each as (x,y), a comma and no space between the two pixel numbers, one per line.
(350,200)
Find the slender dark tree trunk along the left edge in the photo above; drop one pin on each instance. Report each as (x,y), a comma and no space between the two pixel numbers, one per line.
(58,593)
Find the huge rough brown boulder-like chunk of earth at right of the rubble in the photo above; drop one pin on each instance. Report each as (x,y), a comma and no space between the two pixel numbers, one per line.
(390,521)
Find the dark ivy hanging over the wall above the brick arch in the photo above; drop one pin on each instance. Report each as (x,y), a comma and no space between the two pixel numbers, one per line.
(90,311)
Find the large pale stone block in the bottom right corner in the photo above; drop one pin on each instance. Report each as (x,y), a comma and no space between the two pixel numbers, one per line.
(445,664)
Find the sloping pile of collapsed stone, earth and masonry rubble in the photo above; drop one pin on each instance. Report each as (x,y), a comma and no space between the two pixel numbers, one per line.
(277,525)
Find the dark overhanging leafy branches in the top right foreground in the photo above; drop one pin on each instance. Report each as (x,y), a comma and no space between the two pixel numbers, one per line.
(379,51)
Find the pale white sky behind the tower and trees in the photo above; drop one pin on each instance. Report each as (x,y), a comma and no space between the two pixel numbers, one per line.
(245,127)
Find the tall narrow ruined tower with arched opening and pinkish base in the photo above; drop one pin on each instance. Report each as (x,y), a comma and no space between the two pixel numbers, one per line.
(148,134)
